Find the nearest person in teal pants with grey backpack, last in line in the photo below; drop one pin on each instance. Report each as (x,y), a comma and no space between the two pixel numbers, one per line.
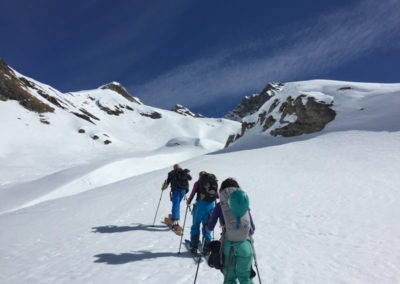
(237,229)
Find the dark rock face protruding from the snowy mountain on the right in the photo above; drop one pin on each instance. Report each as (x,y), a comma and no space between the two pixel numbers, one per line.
(297,115)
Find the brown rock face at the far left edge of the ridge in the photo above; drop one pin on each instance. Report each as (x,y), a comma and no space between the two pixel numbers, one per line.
(13,88)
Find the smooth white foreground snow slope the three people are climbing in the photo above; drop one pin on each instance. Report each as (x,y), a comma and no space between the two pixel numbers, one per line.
(326,211)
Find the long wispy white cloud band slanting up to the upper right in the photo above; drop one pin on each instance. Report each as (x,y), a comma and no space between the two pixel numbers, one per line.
(308,50)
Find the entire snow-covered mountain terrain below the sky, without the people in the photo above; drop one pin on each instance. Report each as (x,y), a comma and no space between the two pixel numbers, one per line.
(75,208)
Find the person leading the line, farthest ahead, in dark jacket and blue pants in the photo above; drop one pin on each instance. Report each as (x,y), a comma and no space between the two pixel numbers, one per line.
(179,179)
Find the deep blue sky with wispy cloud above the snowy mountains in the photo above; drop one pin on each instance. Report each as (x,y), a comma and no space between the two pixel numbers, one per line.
(206,54)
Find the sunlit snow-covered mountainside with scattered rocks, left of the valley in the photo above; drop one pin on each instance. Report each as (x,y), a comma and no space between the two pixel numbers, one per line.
(88,125)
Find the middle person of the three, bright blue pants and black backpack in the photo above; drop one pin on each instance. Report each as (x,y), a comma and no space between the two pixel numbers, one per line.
(206,191)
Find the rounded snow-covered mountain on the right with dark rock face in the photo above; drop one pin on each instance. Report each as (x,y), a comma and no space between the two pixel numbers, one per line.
(287,110)
